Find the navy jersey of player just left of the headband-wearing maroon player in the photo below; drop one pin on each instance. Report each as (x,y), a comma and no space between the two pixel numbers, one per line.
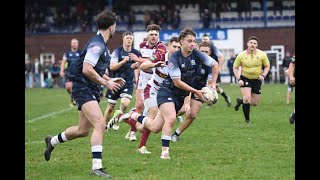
(125,71)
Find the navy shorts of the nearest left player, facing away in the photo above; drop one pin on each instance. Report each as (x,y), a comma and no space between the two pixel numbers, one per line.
(82,94)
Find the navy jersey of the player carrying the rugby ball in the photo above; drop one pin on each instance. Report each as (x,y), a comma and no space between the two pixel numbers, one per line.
(193,70)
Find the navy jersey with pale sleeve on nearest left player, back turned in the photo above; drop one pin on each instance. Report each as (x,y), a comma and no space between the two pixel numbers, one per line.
(95,53)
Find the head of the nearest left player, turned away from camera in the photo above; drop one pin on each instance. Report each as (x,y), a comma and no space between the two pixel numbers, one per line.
(106,21)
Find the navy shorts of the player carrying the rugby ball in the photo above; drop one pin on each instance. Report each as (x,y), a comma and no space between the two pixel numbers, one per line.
(164,95)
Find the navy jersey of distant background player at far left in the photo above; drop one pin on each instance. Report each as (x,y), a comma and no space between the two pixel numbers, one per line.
(72,58)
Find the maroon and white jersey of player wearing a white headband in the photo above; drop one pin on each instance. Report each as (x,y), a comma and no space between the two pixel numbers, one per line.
(154,53)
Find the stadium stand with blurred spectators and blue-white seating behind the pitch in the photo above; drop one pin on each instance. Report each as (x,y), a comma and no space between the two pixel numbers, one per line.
(60,16)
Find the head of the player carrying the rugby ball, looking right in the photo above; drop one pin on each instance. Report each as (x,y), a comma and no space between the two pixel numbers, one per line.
(187,38)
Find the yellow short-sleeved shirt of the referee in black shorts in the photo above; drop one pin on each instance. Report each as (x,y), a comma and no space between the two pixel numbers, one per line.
(251,63)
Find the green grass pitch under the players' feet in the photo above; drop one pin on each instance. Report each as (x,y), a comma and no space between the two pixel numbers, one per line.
(218,145)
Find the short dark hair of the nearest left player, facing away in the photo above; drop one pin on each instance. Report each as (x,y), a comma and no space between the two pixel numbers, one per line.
(105,19)
